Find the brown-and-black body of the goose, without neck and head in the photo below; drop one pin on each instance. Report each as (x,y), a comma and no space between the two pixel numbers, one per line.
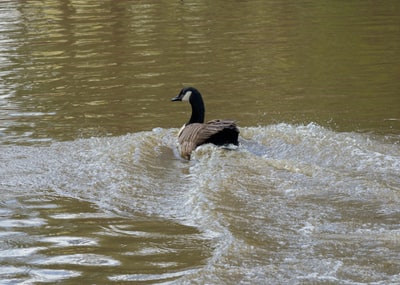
(218,132)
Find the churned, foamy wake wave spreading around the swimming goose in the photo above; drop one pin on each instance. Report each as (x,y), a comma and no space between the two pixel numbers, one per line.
(288,193)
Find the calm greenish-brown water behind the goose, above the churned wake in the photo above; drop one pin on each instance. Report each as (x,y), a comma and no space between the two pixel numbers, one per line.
(72,69)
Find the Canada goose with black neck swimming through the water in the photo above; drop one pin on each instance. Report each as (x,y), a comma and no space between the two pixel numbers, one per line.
(195,132)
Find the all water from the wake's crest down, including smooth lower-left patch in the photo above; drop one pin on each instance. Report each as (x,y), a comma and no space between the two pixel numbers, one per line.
(292,203)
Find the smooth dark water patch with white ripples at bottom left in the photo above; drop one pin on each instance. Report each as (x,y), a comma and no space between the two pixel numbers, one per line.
(48,239)
